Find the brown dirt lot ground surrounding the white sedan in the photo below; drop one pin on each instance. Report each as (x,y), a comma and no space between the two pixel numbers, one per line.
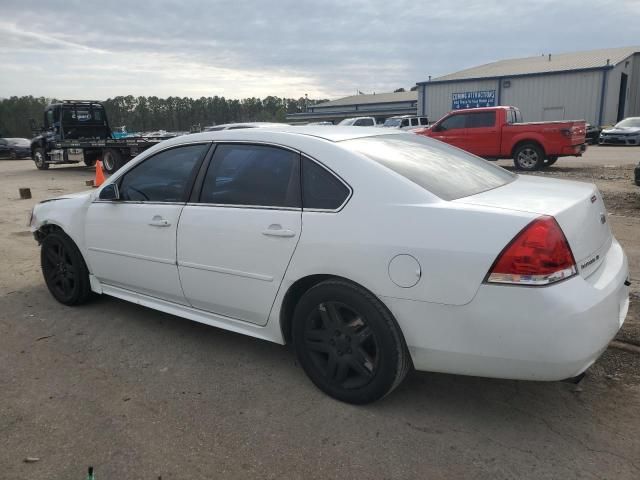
(141,394)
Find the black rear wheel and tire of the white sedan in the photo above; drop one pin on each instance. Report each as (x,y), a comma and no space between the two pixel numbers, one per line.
(348,343)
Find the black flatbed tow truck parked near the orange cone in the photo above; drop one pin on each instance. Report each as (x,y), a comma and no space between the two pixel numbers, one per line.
(77,131)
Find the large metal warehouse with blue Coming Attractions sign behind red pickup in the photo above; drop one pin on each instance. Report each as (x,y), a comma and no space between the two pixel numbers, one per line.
(599,86)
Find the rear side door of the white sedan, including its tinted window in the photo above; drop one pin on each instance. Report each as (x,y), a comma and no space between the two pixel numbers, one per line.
(236,239)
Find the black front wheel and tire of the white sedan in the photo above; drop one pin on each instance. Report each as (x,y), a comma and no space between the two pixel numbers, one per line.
(65,271)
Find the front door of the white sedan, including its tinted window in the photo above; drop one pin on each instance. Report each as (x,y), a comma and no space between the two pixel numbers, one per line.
(131,241)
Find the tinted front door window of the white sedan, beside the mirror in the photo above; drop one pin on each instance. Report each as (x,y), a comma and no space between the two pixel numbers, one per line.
(164,177)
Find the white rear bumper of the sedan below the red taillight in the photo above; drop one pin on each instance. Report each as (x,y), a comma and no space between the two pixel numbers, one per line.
(528,333)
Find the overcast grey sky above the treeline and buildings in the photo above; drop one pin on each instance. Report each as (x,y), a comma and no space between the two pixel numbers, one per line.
(326,48)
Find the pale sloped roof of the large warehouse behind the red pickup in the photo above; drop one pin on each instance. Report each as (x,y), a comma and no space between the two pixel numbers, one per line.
(561,62)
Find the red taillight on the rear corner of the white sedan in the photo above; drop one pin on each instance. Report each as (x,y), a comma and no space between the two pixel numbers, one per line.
(538,255)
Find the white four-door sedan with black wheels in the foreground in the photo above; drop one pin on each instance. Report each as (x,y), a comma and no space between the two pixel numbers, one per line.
(370,251)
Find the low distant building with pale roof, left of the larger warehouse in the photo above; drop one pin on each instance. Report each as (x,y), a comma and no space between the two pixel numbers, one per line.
(380,106)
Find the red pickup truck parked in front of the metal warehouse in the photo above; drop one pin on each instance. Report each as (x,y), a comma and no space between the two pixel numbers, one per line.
(498,132)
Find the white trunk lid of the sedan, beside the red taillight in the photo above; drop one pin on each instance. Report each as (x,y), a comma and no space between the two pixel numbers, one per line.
(577,207)
